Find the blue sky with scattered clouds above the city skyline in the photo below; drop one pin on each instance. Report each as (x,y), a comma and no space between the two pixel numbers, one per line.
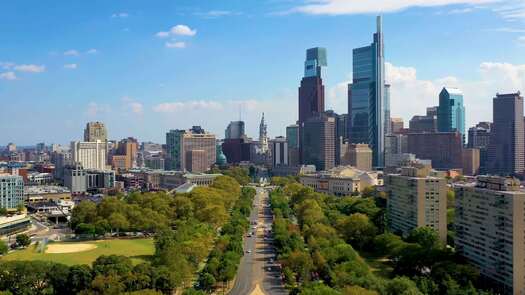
(144,67)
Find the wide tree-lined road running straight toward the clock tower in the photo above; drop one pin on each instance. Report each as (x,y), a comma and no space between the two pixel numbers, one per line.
(258,274)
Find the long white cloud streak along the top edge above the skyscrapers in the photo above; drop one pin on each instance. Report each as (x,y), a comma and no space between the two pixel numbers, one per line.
(339,7)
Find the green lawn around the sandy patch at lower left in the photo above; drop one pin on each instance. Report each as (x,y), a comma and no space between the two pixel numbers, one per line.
(138,249)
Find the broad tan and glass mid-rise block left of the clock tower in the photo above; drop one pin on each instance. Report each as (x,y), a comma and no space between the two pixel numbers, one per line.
(181,143)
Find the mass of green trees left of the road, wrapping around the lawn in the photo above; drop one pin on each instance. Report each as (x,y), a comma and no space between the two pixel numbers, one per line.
(184,227)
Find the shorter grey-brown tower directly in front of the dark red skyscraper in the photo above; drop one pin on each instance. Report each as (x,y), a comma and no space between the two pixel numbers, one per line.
(318,142)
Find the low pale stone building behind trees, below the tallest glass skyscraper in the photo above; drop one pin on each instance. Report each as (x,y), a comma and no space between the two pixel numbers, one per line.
(341,180)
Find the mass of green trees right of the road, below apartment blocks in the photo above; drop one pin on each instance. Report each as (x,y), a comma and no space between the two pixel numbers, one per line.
(319,237)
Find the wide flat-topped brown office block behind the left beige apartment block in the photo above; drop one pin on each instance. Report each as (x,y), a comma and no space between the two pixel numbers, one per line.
(444,149)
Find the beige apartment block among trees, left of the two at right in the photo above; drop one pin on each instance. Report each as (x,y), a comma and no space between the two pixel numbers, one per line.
(417,199)
